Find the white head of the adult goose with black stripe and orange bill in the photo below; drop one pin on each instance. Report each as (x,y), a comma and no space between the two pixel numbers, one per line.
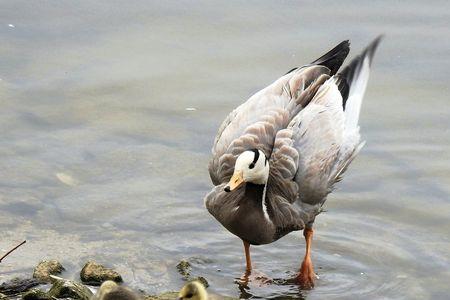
(251,166)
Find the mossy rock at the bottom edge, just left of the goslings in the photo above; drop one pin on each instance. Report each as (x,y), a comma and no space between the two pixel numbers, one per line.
(63,288)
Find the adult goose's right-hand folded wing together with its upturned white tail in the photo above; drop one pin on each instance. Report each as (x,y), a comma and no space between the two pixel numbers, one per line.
(322,139)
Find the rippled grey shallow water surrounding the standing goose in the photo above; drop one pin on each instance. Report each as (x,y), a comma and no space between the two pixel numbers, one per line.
(99,158)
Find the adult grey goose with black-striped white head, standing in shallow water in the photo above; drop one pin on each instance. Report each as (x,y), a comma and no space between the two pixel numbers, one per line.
(278,155)
